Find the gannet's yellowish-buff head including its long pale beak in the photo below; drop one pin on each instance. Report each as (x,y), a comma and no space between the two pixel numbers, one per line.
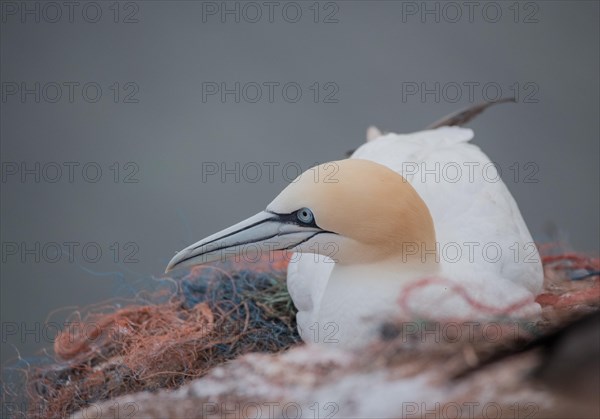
(354,211)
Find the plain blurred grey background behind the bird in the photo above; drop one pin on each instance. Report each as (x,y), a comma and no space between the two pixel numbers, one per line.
(369,53)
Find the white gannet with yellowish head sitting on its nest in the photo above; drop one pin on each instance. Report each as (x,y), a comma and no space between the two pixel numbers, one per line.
(369,228)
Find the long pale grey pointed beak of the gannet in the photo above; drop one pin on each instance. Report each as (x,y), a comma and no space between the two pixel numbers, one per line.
(263,232)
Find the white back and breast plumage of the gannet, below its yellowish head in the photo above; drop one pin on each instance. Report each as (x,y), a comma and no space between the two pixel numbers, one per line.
(472,211)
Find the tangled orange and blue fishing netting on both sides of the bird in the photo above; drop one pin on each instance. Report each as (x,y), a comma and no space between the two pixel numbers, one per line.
(218,313)
